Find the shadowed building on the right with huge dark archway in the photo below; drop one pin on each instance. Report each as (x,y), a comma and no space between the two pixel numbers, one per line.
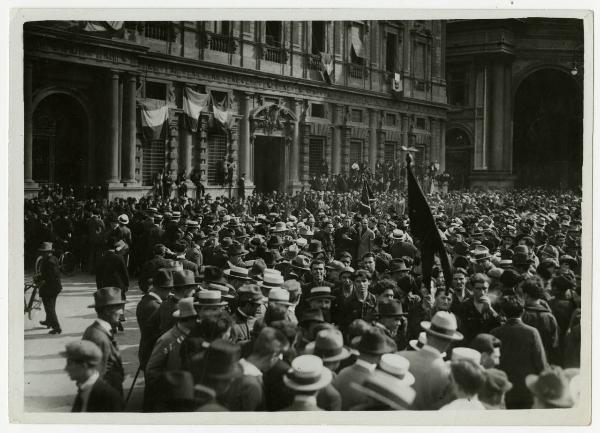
(515,90)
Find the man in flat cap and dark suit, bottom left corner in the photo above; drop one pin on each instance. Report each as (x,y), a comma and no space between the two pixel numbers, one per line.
(93,393)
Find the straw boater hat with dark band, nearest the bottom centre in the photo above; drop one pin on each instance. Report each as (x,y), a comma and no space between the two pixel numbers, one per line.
(307,374)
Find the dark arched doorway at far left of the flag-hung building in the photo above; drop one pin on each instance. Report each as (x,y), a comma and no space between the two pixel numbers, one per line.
(60,140)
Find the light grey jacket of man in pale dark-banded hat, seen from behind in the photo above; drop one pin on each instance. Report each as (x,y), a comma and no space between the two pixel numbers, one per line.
(432,378)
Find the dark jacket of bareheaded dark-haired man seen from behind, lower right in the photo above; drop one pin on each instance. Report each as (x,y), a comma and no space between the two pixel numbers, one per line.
(522,353)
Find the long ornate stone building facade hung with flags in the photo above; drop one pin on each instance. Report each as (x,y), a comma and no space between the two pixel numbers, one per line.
(283,99)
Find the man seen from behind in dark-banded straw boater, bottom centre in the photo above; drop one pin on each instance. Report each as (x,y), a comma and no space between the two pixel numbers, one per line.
(305,378)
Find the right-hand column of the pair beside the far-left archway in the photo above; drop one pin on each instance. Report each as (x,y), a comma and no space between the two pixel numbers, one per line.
(129,130)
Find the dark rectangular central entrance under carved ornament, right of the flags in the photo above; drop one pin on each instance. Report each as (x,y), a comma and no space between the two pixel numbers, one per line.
(269,164)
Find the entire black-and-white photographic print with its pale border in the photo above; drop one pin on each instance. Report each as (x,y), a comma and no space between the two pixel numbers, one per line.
(345,214)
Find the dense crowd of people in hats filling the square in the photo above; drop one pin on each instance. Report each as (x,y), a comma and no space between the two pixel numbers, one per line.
(300,302)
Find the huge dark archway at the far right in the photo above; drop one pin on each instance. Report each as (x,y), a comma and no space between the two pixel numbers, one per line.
(548,131)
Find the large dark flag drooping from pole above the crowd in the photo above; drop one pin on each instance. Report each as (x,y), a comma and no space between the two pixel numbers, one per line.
(423,227)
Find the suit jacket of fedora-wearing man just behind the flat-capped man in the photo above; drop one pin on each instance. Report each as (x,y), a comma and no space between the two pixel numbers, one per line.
(111,366)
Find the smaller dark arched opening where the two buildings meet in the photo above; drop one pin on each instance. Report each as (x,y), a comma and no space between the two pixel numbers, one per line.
(458,158)
